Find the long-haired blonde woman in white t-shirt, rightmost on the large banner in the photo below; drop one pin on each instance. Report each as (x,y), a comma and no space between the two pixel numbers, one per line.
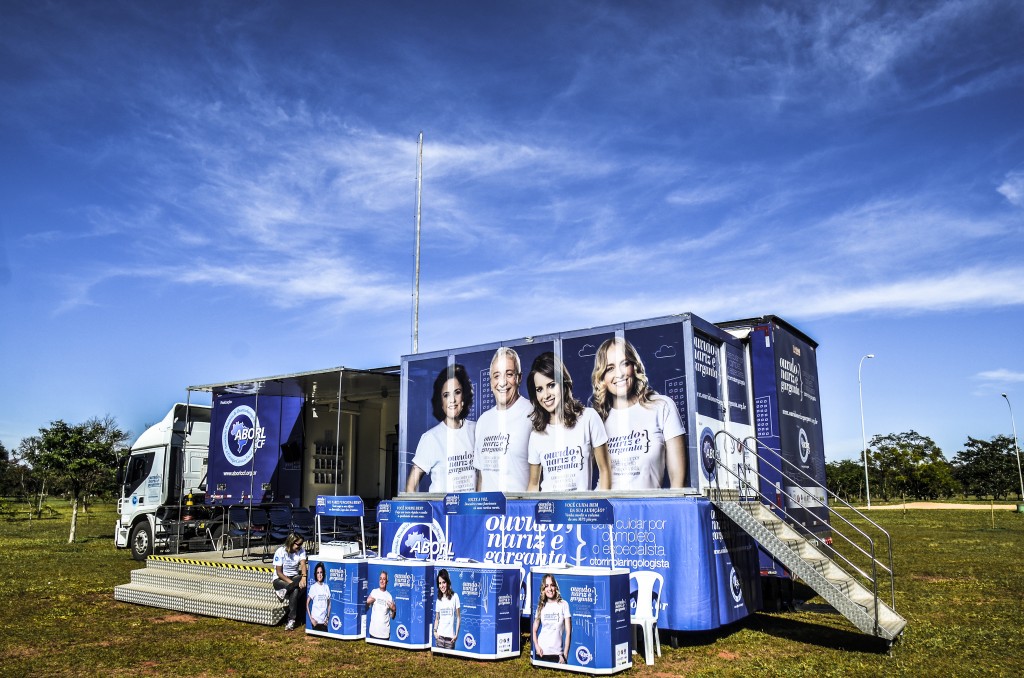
(646,434)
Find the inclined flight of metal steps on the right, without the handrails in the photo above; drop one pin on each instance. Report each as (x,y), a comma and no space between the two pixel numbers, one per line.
(843,592)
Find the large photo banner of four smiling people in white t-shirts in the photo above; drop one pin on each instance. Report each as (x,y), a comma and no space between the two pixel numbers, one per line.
(591,410)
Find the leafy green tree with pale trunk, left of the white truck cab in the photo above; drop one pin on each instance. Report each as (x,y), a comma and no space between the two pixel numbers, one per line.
(81,457)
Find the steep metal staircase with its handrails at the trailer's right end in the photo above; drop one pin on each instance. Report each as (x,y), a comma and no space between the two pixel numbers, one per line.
(854,596)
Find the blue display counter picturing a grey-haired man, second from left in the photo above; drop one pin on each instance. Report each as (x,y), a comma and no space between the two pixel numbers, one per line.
(411,584)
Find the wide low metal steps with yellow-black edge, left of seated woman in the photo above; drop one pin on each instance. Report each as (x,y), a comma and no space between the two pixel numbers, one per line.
(206,585)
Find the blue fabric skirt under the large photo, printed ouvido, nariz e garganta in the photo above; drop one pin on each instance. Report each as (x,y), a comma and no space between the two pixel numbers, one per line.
(711,573)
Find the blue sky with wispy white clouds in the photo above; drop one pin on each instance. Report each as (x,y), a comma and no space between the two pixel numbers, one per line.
(197,193)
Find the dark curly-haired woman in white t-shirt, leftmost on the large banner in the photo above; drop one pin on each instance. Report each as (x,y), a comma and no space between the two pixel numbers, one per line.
(446,452)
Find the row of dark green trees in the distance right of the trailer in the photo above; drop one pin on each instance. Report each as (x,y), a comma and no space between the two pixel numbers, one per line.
(911,465)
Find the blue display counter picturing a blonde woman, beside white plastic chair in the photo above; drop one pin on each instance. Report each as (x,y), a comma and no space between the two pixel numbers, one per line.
(600,605)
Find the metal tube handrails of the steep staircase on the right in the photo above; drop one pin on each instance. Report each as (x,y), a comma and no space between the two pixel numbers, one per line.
(876,564)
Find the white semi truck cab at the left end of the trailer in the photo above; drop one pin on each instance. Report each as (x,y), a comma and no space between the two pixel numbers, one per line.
(162,484)
